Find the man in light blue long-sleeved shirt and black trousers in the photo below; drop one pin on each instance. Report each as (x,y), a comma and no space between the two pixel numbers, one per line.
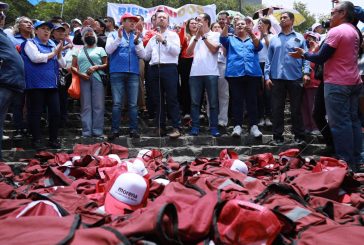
(284,74)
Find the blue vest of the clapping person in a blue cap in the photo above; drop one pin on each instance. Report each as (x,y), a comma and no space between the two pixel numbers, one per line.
(40,75)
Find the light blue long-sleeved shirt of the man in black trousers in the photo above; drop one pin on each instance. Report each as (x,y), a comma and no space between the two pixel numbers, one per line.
(279,65)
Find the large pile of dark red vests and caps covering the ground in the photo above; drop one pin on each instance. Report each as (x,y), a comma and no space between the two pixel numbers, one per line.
(62,199)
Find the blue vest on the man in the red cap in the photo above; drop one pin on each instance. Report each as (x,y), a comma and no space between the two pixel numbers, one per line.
(124,58)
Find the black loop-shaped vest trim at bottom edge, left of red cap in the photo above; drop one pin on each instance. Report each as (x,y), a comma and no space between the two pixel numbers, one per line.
(171,211)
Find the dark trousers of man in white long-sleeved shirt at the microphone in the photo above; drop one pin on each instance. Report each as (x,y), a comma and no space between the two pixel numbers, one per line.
(164,81)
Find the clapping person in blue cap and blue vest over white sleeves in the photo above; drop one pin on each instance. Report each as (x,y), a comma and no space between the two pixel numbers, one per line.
(42,59)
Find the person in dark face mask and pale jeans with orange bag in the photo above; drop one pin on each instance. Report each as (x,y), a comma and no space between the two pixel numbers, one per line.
(89,63)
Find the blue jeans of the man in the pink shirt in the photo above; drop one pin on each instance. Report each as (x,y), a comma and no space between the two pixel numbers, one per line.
(342,111)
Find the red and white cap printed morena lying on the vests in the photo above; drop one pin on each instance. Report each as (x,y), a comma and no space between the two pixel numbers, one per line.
(129,191)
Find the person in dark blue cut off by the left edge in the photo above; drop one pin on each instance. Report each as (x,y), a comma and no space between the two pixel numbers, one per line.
(11,72)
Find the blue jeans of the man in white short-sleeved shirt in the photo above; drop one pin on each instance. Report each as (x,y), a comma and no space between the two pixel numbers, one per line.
(198,84)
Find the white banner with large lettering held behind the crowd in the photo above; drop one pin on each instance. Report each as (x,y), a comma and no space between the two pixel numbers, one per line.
(176,16)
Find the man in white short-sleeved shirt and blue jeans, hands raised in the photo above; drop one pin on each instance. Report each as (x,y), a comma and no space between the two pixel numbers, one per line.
(204,73)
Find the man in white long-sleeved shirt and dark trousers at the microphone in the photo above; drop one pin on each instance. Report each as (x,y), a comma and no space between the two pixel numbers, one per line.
(162,50)
